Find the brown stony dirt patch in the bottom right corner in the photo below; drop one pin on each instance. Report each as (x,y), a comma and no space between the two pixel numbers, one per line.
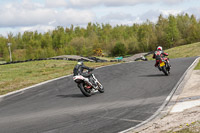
(173,122)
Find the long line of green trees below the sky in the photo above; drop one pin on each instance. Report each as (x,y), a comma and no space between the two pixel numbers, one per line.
(119,40)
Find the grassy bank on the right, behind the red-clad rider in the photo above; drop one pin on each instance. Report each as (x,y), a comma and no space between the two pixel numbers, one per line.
(189,50)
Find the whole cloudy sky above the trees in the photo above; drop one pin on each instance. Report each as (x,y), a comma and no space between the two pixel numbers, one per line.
(44,15)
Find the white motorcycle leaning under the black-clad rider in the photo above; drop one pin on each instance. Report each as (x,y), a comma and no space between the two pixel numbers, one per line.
(85,85)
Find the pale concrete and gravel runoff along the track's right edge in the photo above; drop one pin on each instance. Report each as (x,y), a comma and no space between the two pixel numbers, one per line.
(182,111)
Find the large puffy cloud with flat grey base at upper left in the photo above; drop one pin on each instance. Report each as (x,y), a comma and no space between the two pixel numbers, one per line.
(17,14)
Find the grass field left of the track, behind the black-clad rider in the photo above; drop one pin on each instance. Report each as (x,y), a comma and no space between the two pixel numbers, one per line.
(20,75)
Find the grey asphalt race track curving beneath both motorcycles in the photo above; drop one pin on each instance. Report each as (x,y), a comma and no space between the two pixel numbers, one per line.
(133,93)
